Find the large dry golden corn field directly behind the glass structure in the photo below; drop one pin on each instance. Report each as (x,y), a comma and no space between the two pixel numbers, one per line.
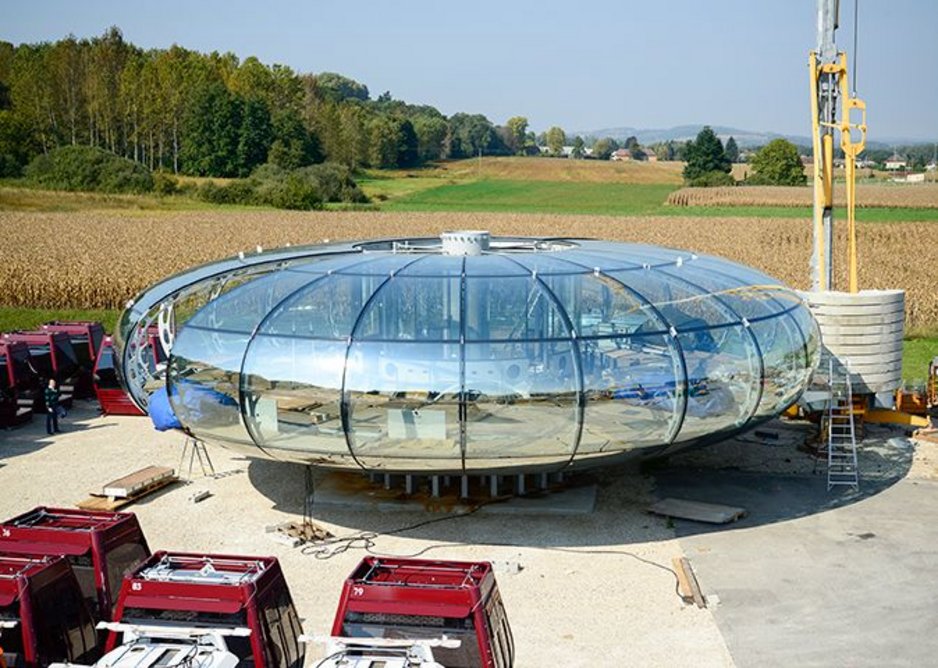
(100,259)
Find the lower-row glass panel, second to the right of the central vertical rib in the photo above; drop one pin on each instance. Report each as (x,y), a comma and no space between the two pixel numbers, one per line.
(633,393)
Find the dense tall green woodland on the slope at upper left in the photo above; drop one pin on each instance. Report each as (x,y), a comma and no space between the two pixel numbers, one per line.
(212,114)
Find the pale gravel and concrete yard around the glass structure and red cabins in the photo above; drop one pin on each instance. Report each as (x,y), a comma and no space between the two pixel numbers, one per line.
(806,577)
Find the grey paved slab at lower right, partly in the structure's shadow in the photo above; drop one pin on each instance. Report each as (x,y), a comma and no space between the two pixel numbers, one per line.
(812,578)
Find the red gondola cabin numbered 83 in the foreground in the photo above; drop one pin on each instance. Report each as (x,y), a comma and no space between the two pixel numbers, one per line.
(244,600)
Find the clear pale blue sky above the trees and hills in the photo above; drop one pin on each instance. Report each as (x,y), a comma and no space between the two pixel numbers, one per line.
(582,65)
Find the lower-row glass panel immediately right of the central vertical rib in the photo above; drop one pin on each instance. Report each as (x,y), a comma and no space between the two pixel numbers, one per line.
(521,403)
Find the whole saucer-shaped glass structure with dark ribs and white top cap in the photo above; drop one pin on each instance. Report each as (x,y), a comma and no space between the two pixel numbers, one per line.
(498,355)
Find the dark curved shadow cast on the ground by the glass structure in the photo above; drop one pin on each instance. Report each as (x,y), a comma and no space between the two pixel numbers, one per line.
(788,487)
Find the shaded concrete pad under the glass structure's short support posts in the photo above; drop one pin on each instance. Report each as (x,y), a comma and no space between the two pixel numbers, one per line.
(353,491)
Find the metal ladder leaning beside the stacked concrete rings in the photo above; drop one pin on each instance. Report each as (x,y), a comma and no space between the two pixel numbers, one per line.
(842,466)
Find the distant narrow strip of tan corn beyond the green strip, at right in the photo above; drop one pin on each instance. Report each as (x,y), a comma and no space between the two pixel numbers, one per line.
(922,195)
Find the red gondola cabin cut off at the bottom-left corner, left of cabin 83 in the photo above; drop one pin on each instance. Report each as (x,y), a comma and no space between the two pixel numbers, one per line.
(43,617)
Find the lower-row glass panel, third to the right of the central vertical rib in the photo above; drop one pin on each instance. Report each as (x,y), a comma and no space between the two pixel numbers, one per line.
(723,379)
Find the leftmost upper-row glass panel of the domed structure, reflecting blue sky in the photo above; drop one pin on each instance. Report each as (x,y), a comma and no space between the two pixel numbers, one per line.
(241,309)
